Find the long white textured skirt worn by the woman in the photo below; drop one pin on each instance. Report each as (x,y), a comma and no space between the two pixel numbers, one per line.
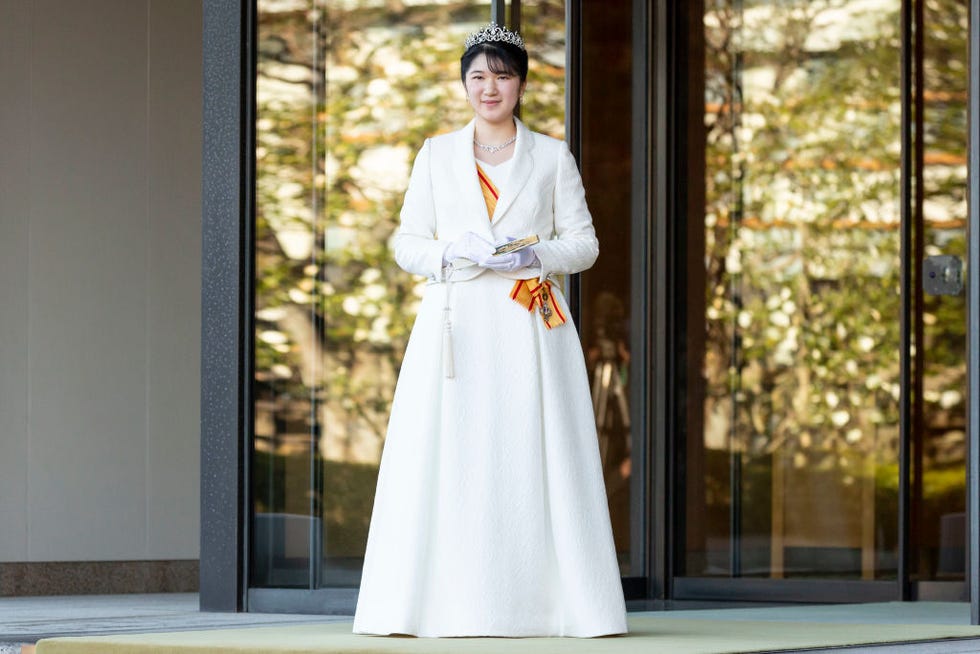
(490,517)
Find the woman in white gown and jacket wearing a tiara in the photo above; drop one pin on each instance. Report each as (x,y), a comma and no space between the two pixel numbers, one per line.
(490,517)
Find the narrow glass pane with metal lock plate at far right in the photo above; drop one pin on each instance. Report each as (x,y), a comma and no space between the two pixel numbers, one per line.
(938,502)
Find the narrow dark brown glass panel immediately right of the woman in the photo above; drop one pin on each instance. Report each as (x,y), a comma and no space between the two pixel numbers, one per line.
(610,311)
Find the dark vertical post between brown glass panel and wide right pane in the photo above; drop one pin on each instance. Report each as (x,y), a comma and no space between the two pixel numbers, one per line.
(652,87)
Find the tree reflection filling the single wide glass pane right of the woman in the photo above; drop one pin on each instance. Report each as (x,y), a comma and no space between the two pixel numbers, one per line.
(802,306)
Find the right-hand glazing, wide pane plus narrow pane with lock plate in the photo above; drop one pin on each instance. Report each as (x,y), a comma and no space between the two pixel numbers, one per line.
(825,408)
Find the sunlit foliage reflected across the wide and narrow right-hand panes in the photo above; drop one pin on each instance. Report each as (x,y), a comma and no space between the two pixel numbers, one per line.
(803,204)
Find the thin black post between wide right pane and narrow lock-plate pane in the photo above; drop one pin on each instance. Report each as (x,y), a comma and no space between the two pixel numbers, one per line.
(906,283)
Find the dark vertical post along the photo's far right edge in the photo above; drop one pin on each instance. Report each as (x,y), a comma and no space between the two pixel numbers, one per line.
(973,318)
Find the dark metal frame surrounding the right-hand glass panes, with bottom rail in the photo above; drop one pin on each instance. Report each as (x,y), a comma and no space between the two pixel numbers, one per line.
(673,41)
